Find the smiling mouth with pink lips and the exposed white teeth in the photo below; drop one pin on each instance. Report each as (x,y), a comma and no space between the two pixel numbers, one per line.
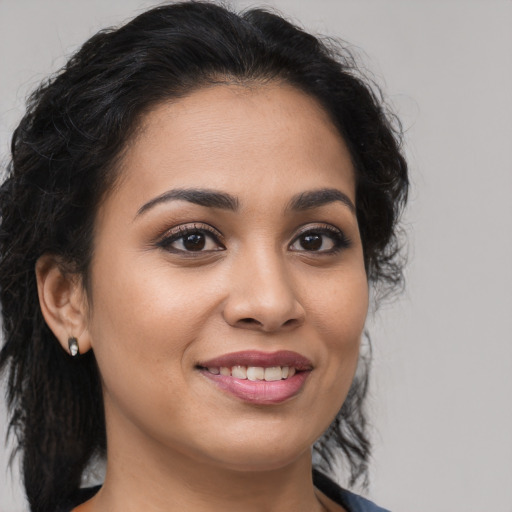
(258,377)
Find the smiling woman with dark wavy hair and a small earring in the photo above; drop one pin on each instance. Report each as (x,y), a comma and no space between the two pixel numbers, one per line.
(195,209)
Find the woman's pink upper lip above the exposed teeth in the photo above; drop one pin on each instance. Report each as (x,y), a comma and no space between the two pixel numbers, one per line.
(258,358)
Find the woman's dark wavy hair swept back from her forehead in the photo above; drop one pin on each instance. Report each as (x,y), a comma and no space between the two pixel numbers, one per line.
(64,155)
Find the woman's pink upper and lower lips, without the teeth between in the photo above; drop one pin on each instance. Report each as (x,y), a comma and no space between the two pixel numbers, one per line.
(259,392)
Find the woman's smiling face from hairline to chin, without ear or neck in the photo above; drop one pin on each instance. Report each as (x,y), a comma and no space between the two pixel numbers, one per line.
(229,249)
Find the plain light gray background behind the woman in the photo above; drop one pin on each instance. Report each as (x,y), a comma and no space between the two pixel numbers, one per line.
(442,378)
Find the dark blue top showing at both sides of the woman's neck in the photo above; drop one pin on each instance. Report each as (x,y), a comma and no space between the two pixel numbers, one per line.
(349,501)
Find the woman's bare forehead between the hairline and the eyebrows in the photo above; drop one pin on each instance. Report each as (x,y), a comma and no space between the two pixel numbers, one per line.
(244,139)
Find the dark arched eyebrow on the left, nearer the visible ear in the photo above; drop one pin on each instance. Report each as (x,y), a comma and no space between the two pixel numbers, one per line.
(201,197)
